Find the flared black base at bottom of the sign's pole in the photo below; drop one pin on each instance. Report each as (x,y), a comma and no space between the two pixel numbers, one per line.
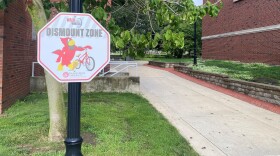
(73,146)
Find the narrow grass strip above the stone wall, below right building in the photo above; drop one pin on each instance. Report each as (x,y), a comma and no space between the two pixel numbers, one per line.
(256,72)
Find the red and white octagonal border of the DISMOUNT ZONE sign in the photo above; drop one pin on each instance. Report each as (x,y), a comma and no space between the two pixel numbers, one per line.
(73,80)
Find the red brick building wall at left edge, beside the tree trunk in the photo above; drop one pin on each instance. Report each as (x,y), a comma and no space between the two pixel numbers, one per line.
(17,52)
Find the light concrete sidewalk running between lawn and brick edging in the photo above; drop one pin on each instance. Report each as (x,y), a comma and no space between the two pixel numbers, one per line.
(214,123)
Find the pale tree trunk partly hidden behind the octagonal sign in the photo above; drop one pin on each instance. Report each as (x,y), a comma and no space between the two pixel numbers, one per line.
(56,103)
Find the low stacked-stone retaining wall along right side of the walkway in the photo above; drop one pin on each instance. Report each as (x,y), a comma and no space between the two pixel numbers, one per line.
(264,92)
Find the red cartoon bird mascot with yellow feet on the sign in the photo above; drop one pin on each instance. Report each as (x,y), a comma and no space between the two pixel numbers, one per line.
(67,53)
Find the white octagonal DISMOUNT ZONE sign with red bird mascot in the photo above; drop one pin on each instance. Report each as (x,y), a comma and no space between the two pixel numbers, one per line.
(73,47)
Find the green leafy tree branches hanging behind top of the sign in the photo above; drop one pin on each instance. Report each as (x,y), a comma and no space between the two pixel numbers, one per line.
(161,21)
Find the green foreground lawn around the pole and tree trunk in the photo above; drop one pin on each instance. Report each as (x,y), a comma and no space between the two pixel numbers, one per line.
(112,124)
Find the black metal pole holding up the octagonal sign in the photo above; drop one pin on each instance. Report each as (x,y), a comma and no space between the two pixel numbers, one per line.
(73,142)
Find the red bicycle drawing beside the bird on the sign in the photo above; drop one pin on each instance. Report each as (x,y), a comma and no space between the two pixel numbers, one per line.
(86,60)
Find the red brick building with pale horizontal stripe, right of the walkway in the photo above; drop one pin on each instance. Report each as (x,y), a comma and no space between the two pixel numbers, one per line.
(245,30)
